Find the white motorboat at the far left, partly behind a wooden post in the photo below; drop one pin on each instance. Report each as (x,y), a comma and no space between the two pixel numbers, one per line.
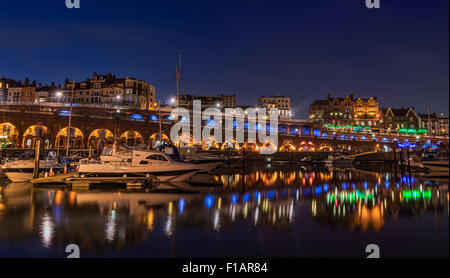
(21,169)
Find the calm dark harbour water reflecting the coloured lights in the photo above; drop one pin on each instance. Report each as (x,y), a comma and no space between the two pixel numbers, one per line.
(265,213)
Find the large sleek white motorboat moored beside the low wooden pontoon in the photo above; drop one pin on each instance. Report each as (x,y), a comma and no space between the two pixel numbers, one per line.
(142,163)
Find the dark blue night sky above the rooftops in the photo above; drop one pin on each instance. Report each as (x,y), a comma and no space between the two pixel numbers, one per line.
(302,49)
